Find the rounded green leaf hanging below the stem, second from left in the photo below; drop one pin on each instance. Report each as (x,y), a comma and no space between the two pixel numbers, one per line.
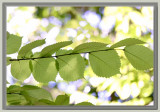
(44,70)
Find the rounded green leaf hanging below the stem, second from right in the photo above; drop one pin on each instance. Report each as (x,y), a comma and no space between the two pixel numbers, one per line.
(105,63)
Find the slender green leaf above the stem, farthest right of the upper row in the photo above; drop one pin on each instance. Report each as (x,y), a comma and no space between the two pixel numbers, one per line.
(127,42)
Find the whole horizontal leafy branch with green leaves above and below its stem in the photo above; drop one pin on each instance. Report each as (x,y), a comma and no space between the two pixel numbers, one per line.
(104,61)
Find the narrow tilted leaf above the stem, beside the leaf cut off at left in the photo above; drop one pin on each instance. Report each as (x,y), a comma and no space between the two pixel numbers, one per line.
(27,48)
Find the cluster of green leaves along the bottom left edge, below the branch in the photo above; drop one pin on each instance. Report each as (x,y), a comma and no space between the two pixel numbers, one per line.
(33,95)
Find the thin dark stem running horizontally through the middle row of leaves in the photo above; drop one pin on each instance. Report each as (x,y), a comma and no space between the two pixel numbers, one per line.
(60,55)
